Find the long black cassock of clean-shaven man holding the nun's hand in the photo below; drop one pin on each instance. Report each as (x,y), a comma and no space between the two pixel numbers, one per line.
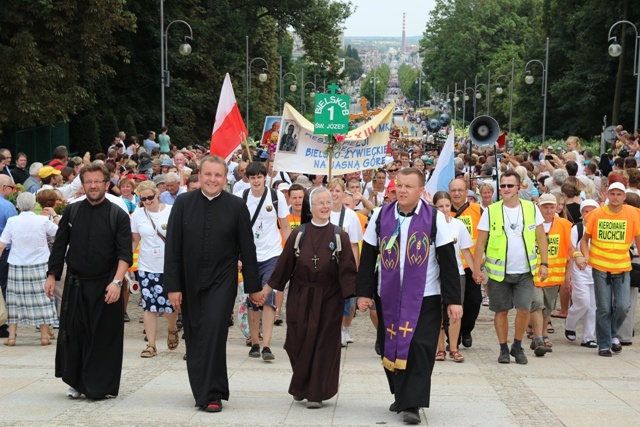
(205,240)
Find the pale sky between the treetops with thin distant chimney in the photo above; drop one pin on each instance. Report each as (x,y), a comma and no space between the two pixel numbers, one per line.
(384,17)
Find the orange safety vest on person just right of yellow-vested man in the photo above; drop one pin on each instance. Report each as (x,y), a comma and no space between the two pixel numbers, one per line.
(558,242)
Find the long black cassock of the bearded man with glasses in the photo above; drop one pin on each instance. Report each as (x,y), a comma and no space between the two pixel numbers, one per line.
(90,340)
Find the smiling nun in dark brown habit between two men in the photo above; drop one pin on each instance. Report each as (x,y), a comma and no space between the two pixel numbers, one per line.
(320,282)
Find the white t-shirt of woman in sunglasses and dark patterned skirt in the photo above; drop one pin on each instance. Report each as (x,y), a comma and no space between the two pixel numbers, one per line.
(151,255)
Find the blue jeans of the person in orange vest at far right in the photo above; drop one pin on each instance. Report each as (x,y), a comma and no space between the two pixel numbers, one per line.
(612,304)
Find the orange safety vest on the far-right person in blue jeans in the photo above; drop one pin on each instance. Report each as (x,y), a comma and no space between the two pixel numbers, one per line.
(611,236)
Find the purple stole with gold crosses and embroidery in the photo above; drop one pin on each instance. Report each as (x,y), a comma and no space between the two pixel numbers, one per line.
(401,297)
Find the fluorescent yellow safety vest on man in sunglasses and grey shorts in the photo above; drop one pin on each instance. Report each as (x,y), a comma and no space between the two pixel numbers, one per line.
(496,252)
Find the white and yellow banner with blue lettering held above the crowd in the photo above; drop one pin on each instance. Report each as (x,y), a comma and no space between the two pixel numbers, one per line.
(300,150)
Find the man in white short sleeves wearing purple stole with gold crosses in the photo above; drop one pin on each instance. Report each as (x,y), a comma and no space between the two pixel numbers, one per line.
(417,278)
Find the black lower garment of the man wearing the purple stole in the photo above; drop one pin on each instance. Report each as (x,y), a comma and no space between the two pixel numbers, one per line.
(412,386)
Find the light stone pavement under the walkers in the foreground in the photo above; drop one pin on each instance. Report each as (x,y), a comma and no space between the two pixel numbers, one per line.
(571,386)
